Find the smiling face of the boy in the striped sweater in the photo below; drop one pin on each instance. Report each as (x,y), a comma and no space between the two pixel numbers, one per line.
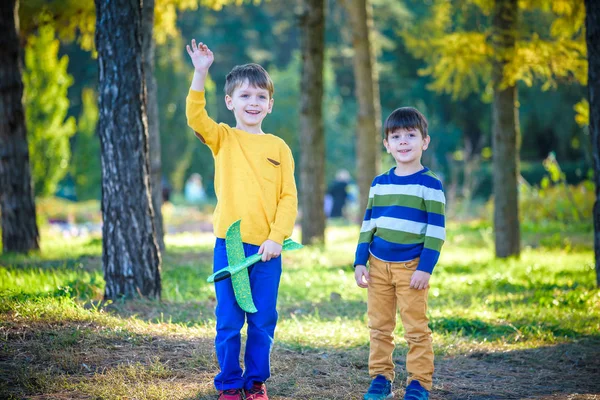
(406,146)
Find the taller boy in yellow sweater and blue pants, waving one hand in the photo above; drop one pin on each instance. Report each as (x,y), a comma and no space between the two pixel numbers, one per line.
(254,182)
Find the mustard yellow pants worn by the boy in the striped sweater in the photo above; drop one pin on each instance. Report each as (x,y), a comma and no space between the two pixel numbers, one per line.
(388,291)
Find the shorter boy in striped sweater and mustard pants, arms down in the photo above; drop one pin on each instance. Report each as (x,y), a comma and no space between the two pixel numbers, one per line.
(401,238)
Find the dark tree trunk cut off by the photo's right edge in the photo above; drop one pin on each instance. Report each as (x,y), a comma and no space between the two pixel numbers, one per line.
(592,26)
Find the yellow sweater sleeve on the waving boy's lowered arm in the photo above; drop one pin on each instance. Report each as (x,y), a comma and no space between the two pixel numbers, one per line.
(287,207)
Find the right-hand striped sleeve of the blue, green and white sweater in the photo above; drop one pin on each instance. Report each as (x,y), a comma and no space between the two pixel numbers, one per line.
(435,234)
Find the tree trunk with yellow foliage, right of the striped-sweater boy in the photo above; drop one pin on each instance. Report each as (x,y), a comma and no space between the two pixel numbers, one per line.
(505,134)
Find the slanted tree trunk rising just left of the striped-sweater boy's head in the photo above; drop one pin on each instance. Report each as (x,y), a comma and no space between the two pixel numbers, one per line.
(369,137)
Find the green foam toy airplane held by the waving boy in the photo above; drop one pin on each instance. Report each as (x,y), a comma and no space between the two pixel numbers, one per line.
(237,269)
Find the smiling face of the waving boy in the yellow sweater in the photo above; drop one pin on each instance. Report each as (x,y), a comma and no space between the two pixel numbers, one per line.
(250,105)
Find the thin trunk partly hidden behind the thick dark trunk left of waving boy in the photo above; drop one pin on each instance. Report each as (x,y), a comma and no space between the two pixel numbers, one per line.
(153,125)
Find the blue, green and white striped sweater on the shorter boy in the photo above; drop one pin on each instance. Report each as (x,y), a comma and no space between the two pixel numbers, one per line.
(404,220)
